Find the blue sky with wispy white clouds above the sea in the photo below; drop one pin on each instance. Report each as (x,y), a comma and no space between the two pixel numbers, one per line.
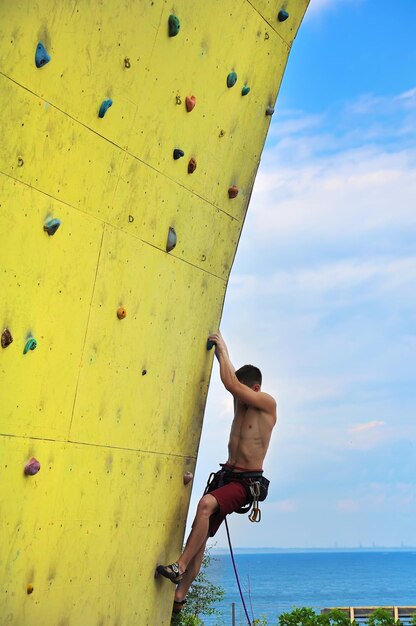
(322,295)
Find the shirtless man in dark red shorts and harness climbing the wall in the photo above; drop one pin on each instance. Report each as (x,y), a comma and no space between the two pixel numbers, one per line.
(240,482)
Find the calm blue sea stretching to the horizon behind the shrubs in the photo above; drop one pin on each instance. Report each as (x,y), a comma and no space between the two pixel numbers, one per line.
(276,582)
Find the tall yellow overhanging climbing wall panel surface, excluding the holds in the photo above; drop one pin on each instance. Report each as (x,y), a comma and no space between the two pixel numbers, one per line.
(112,408)
